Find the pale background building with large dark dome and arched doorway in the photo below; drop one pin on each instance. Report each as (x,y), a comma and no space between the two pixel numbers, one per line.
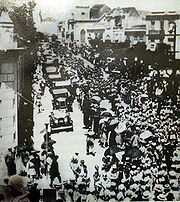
(83,23)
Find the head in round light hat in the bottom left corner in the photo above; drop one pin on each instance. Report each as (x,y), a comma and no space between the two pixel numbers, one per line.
(16,185)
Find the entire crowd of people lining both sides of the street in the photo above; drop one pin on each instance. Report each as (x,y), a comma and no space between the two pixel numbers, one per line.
(128,112)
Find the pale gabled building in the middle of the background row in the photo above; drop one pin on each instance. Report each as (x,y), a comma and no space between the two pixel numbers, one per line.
(125,24)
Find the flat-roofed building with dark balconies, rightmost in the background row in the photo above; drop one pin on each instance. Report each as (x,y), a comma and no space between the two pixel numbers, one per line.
(163,27)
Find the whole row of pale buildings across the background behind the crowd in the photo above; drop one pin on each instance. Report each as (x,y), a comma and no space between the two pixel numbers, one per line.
(121,25)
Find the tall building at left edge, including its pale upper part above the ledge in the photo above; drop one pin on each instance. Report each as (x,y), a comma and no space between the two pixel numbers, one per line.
(11,82)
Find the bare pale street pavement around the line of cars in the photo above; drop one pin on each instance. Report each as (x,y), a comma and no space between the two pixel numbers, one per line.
(67,143)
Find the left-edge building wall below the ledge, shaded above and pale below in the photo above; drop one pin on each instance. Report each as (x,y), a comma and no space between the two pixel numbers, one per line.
(11,80)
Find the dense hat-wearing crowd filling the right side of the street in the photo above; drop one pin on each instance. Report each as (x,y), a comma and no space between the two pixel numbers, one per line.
(139,131)
